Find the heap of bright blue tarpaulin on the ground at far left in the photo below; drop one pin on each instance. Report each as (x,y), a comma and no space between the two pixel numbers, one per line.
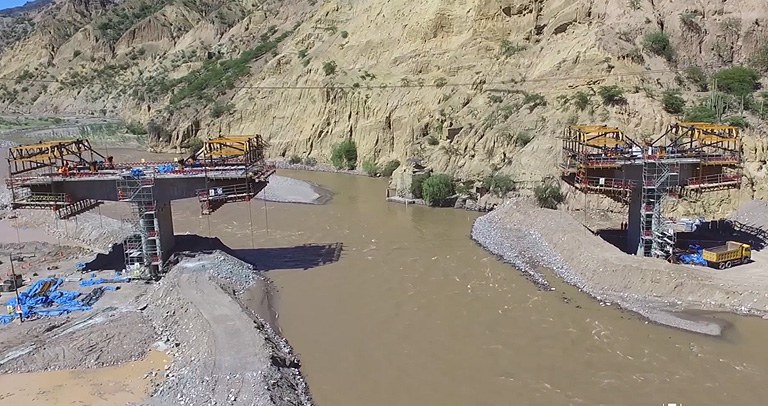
(44,298)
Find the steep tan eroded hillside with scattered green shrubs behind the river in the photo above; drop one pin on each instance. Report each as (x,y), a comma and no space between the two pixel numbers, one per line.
(468,87)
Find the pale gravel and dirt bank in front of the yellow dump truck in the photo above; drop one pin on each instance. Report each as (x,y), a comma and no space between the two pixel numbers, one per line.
(531,238)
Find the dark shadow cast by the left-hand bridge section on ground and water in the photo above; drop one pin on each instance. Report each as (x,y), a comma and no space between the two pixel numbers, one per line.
(304,257)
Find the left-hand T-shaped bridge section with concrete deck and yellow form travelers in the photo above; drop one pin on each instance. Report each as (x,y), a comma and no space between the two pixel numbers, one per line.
(69,177)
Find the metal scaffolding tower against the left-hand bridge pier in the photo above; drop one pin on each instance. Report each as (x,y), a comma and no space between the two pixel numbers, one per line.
(143,249)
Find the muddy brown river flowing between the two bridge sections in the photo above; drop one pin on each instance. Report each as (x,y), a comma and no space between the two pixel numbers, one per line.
(415,313)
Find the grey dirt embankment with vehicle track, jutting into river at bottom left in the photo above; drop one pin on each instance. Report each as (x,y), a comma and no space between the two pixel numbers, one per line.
(223,353)
